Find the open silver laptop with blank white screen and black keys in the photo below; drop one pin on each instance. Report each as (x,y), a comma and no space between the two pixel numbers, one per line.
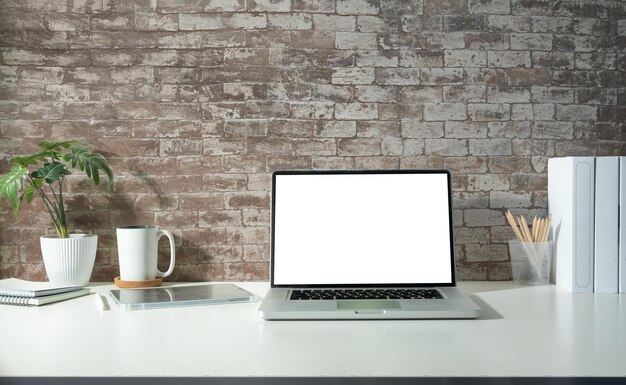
(363,245)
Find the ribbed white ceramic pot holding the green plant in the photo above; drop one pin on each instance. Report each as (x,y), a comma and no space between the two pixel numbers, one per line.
(69,261)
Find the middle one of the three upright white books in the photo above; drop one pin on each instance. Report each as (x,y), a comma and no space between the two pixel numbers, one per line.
(606,242)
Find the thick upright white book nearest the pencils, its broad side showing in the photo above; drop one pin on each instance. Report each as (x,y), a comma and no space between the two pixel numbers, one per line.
(571,204)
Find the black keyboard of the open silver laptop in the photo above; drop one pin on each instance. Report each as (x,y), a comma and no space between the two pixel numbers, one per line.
(338,294)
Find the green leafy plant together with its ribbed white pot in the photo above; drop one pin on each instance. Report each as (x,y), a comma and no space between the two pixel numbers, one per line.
(68,258)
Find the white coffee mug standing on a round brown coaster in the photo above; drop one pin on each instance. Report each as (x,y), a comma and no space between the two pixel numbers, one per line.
(137,252)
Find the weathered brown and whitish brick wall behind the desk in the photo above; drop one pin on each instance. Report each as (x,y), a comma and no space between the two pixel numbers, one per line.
(196,102)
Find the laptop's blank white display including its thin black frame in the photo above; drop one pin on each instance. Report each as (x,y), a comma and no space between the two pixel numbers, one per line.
(362,228)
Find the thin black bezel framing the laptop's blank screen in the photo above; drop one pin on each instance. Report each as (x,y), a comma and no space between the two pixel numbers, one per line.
(376,285)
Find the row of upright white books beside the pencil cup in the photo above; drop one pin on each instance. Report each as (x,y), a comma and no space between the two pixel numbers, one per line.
(587,199)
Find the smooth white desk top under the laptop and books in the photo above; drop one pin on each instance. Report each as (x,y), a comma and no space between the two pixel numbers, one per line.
(523,331)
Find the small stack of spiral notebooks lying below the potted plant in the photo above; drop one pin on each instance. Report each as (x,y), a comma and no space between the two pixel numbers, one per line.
(15,291)
